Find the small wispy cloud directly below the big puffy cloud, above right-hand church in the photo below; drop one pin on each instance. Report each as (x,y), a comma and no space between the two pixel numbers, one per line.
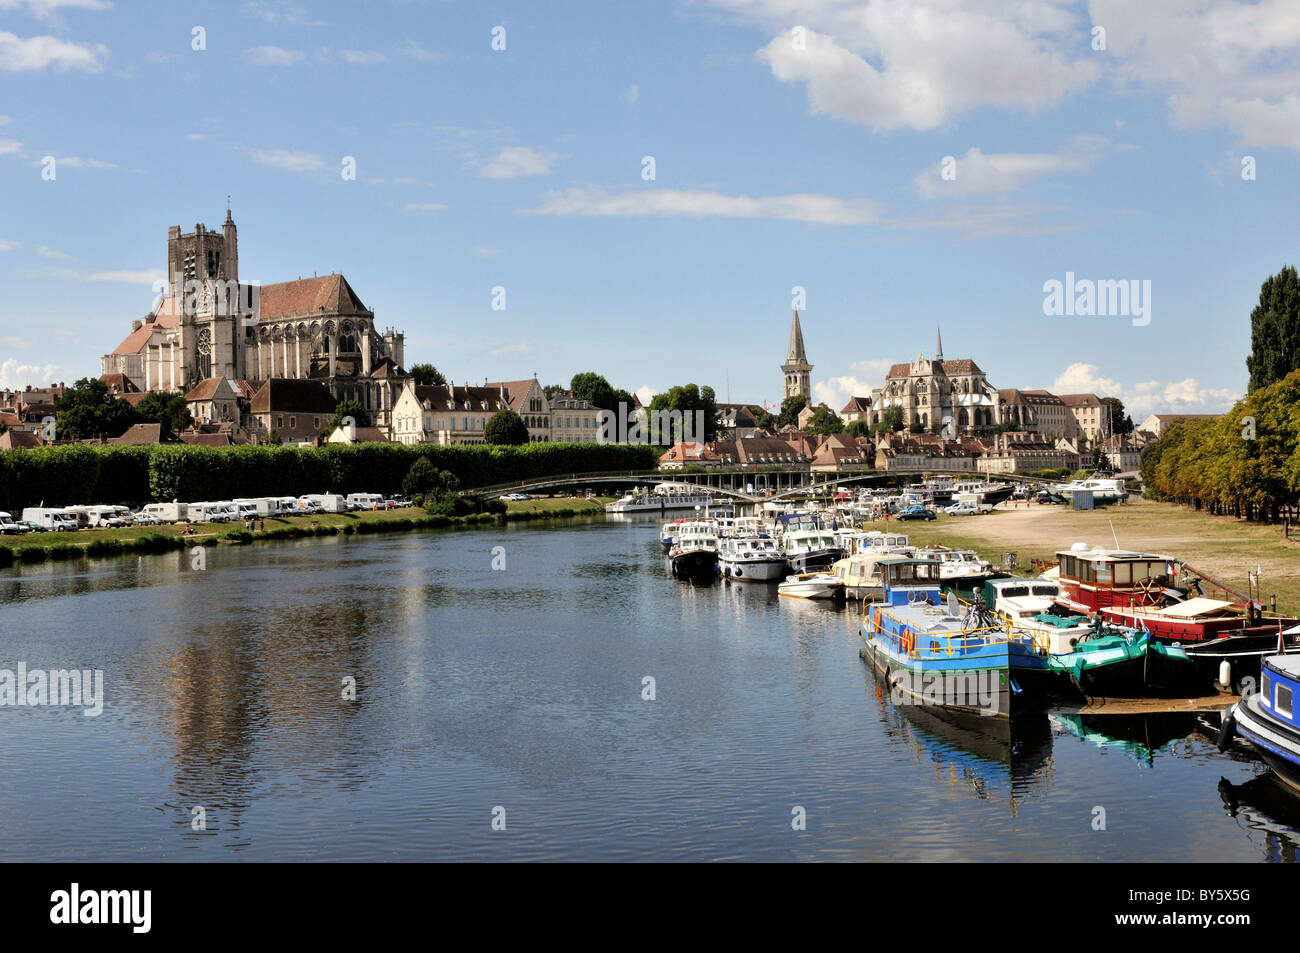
(978,172)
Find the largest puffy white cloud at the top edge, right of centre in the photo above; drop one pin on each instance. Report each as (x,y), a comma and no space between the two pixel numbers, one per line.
(921,64)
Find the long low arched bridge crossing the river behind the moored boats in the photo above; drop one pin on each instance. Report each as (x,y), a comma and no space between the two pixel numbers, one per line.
(751,486)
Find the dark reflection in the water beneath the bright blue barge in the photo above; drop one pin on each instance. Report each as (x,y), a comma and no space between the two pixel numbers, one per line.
(989,759)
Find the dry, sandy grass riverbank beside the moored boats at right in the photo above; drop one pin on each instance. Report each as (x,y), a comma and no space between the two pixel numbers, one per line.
(1224,548)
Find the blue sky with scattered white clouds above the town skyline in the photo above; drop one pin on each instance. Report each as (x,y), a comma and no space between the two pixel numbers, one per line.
(783,158)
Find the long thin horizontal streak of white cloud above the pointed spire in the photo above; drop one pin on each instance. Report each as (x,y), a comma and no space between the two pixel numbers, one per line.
(816,210)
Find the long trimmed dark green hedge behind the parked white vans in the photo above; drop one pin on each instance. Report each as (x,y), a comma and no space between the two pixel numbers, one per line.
(67,475)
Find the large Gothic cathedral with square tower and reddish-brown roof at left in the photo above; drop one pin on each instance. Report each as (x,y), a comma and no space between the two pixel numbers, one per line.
(209,324)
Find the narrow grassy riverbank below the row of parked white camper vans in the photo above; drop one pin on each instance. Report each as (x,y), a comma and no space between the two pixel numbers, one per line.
(98,544)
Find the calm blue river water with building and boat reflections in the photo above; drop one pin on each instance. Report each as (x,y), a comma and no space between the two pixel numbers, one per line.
(517,698)
